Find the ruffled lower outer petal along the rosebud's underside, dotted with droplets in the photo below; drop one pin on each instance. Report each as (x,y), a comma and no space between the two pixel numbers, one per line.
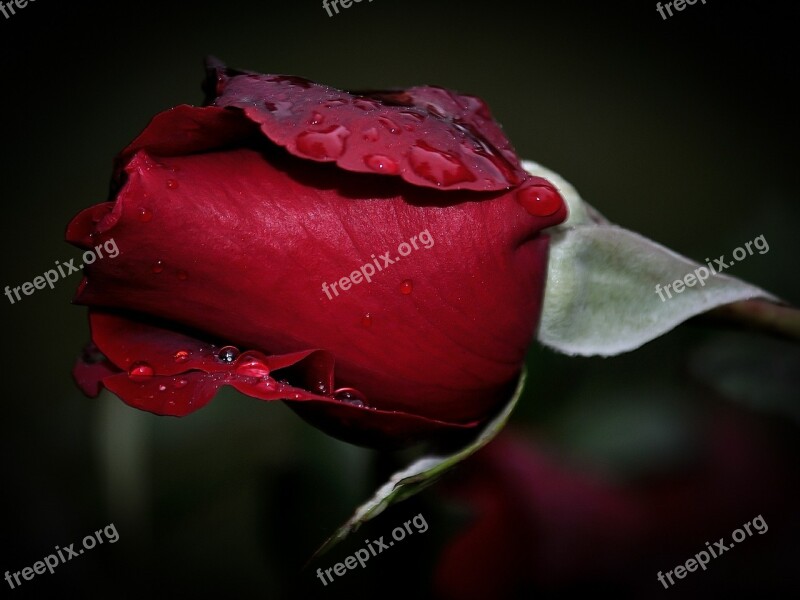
(181,374)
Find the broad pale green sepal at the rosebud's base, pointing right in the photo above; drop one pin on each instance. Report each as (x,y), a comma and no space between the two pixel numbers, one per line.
(601,296)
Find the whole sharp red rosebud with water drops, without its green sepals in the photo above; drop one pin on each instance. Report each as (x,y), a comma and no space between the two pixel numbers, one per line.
(374,259)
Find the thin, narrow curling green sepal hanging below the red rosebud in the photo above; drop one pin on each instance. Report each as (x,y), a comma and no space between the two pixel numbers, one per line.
(419,475)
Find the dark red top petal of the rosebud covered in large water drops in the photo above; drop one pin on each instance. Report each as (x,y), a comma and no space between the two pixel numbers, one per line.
(450,142)
